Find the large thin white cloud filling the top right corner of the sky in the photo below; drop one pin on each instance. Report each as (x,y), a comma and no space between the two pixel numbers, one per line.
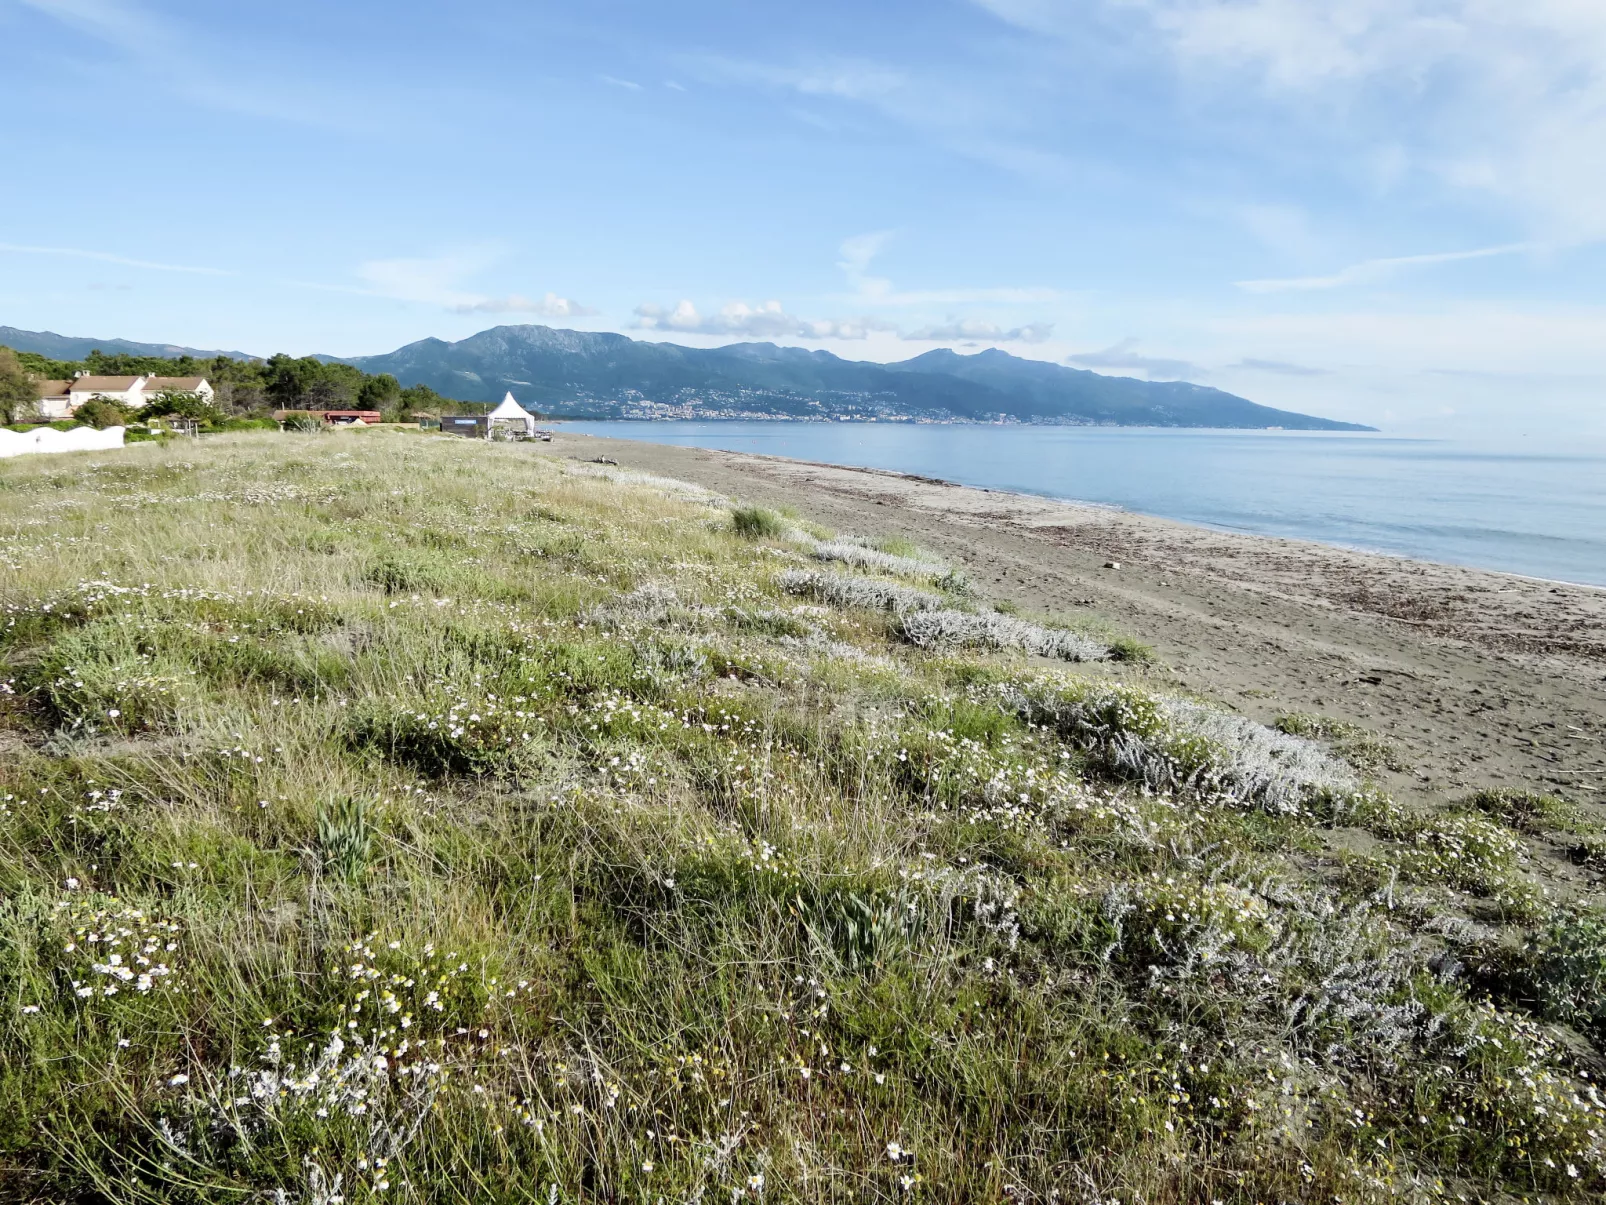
(1491,97)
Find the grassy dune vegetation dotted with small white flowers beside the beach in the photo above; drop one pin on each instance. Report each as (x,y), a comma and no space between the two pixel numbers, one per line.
(406,819)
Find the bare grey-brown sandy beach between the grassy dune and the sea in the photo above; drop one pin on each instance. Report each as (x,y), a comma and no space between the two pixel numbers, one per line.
(1478,679)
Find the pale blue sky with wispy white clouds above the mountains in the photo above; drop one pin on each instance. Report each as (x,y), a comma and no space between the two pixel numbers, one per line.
(1388,211)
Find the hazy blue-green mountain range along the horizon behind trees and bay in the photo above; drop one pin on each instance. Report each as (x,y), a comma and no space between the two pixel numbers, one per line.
(603,375)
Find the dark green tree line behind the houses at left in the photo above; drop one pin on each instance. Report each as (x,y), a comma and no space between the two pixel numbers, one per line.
(245,388)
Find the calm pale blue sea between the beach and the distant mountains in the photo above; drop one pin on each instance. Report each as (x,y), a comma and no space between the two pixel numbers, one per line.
(1525,510)
